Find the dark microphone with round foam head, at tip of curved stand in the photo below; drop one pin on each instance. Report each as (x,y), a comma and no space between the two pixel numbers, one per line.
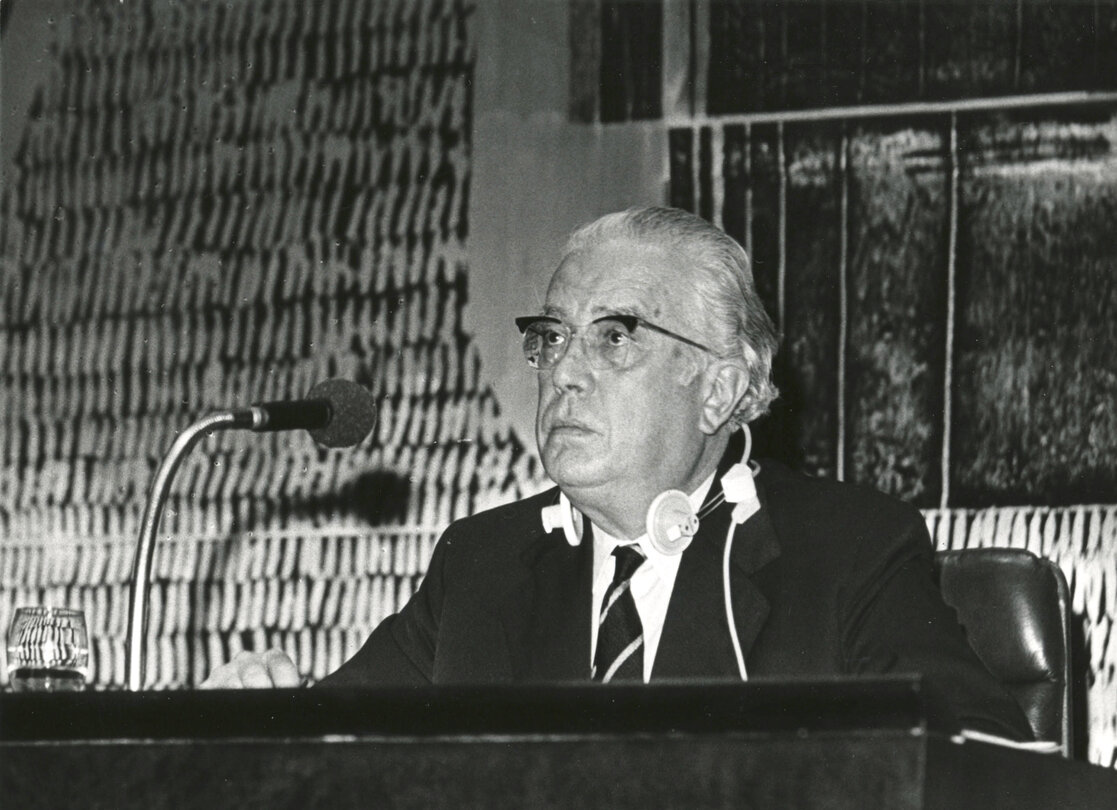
(337,414)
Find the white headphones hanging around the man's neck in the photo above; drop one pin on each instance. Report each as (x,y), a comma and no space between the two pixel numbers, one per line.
(672,522)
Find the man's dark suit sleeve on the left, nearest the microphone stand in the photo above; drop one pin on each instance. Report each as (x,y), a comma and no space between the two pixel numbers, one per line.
(402,651)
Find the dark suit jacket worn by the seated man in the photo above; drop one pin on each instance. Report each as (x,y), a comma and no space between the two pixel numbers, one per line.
(828,579)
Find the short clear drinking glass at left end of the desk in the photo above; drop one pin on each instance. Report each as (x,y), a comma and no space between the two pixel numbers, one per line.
(49,651)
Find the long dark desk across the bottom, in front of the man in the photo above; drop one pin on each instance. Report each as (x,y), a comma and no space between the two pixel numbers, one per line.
(830,745)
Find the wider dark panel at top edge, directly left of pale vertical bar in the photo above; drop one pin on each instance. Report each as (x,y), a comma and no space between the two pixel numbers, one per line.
(632,60)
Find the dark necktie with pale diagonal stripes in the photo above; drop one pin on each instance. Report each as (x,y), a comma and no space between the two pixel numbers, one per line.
(620,635)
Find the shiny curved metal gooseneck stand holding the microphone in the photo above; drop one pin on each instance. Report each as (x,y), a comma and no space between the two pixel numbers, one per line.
(154,511)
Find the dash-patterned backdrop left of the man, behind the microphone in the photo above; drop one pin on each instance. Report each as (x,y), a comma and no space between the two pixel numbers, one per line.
(224,203)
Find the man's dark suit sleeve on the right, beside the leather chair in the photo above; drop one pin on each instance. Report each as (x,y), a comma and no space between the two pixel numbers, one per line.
(899,623)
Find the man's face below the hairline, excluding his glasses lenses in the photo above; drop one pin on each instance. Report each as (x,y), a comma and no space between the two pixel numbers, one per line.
(635,428)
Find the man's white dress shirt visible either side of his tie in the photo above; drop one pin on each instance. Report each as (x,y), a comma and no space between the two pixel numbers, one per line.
(652,585)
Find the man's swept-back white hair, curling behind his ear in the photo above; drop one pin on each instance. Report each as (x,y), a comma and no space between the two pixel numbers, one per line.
(733,319)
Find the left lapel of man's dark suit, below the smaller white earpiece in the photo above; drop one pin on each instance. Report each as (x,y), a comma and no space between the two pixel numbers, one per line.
(547,614)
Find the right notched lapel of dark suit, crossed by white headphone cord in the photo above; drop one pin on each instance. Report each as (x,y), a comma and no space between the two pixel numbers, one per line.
(696,641)
